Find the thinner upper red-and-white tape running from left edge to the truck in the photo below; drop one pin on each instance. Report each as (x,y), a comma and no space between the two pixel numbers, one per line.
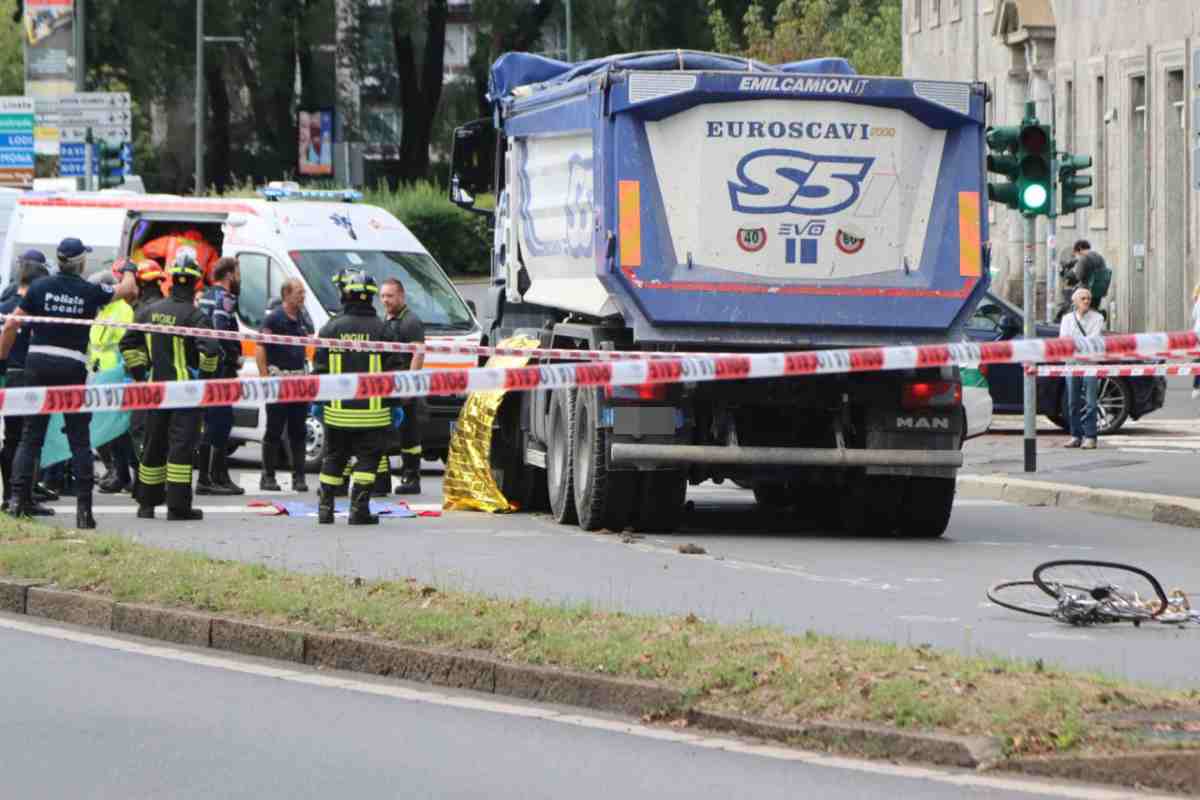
(559,354)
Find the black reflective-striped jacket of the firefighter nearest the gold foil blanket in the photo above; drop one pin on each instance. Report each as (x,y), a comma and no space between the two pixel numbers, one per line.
(358,322)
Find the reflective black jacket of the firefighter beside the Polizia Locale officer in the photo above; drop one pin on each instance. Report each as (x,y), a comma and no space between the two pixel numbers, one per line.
(166,357)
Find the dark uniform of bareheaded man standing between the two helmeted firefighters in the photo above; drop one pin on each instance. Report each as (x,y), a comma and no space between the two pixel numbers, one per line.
(284,359)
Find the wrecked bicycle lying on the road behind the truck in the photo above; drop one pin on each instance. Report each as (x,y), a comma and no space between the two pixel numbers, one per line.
(1083,592)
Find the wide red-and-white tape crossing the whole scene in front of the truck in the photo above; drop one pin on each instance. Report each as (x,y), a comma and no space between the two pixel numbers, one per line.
(308,389)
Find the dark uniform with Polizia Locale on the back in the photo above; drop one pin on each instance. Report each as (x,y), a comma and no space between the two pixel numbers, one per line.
(57,357)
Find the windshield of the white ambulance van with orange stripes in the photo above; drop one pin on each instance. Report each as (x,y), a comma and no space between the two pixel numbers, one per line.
(427,287)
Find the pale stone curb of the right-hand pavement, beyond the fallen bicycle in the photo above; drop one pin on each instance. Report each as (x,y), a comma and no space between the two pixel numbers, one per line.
(1143,507)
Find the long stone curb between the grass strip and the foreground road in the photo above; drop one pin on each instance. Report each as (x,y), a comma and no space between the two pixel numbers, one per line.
(477,672)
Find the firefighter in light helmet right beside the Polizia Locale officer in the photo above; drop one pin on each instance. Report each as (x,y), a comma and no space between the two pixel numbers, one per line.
(171,435)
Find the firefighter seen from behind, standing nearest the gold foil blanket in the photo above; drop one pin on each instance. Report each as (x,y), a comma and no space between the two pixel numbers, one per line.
(355,428)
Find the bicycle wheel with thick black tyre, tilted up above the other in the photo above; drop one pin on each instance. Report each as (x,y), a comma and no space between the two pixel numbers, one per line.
(1125,592)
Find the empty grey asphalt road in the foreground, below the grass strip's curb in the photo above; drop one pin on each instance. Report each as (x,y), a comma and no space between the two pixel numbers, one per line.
(115,718)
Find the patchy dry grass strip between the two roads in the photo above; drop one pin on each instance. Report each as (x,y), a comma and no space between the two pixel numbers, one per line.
(754,671)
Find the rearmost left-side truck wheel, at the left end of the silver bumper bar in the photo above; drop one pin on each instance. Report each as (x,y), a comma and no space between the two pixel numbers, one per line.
(603,497)
